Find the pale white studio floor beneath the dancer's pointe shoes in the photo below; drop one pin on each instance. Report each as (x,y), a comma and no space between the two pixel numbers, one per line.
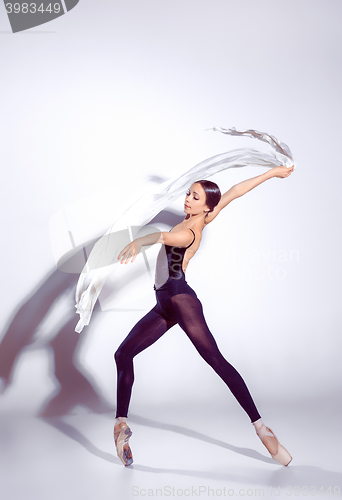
(177,453)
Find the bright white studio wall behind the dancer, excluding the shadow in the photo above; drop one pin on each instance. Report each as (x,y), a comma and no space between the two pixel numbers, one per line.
(114,92)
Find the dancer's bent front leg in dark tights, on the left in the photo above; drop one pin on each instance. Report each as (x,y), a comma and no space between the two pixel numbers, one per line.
(147,331)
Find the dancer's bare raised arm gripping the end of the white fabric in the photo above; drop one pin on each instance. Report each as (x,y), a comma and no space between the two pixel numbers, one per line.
(245,186)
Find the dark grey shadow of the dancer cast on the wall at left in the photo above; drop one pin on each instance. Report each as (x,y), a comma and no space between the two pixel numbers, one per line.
(77,386)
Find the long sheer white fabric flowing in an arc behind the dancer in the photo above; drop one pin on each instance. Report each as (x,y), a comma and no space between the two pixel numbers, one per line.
(102,261)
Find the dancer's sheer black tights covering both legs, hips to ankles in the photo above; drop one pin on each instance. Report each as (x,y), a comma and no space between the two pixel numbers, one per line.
(176,304)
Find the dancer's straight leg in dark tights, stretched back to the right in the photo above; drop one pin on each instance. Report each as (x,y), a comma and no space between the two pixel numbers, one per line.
(189,314)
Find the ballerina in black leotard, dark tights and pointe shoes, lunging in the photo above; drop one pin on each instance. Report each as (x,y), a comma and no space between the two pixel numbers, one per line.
(177,303)
